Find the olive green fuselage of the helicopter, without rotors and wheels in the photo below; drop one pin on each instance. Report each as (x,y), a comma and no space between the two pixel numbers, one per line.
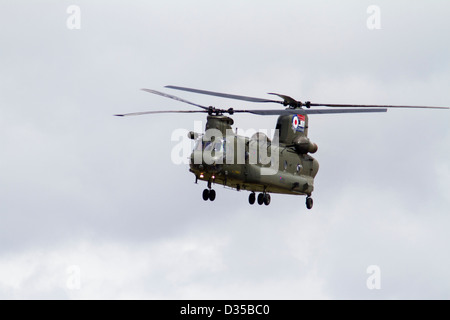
(255,164)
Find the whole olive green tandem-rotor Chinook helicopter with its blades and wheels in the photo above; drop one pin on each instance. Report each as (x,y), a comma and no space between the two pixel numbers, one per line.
(262,166)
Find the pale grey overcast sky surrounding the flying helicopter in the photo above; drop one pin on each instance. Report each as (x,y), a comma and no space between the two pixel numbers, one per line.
(93,207)
